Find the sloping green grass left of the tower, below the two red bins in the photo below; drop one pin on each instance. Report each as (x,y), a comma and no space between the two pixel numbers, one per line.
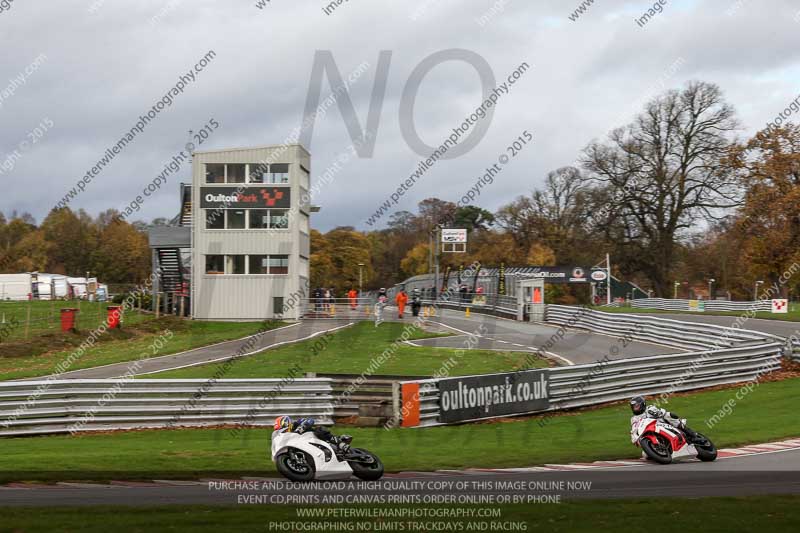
(127,344)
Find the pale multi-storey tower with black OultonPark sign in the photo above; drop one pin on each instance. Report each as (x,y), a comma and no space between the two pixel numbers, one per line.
(250,233)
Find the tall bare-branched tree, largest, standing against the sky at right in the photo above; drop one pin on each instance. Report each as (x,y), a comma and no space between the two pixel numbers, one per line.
(665,171)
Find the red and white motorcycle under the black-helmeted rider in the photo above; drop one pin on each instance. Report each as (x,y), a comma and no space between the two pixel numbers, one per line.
(663,442)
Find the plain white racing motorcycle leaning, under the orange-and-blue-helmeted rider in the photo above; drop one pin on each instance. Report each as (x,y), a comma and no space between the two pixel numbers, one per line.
(303,457)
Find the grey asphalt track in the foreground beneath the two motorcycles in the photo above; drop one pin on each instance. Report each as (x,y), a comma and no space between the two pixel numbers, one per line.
(769,472)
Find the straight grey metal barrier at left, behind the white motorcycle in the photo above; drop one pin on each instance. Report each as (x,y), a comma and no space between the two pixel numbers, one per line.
(65,406)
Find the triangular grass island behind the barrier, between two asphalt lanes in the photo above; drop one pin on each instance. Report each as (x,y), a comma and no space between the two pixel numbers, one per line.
(351,350)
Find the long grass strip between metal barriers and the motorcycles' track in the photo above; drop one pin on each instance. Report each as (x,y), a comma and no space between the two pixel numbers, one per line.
(583,436)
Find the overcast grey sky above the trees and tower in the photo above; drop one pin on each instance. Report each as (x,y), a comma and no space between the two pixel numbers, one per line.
(103,63)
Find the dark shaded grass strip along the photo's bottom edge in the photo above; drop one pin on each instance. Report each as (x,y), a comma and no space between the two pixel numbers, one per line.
(709,515)
